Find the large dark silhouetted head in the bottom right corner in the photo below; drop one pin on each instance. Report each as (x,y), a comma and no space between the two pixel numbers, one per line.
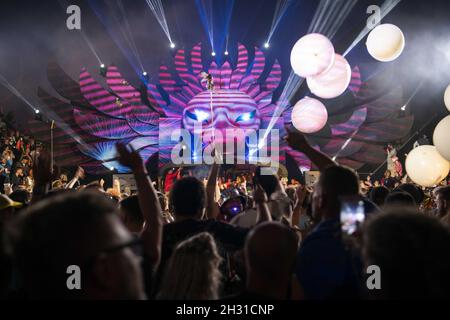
(411,250)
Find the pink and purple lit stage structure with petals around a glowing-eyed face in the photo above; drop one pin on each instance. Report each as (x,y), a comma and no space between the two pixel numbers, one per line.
(90,119)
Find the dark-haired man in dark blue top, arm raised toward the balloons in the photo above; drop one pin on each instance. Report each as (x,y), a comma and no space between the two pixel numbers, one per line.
(326,268)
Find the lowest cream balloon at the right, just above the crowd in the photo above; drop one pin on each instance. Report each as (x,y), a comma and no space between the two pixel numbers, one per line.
(425,166)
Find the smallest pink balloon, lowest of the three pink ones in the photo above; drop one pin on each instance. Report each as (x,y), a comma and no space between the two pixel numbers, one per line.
(309,115)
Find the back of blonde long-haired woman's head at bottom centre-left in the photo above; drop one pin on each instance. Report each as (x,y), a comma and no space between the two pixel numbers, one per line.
(193,270)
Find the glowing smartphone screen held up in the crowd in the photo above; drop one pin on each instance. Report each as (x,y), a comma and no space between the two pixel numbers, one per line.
(352,215)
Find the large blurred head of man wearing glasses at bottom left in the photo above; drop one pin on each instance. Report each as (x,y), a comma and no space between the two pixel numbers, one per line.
(81,229)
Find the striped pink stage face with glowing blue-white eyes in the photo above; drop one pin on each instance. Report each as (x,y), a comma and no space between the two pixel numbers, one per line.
(230,109)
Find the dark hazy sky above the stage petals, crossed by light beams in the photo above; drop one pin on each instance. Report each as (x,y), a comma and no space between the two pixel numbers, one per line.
(33,32)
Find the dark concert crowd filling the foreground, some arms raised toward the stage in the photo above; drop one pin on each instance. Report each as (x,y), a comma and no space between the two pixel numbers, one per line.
(254,237)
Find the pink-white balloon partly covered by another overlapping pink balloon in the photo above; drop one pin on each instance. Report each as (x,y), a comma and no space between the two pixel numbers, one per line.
(333,82)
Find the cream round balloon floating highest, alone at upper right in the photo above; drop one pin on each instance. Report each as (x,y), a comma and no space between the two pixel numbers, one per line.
(385,42)
